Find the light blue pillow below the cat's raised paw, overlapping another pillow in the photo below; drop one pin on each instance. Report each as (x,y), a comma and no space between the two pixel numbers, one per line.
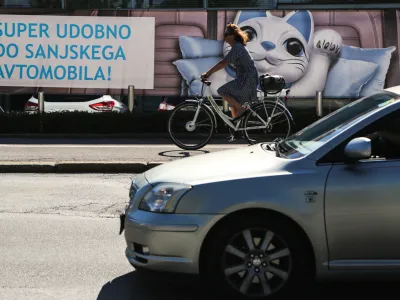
(346,78)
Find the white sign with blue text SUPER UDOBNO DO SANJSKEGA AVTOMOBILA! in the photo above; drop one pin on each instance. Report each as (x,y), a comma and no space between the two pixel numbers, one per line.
(76,52)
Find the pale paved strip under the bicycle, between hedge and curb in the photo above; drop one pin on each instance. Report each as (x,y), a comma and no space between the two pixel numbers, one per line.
(101,150)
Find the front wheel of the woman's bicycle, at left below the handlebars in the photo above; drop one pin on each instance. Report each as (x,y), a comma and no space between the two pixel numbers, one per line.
(187,134)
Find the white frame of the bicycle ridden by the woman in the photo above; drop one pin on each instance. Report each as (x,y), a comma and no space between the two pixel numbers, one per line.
(207,95)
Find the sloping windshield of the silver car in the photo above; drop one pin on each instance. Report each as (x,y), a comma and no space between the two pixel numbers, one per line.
(314,136)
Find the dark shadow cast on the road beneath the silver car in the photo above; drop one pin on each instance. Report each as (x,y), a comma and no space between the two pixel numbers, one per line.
(153,286)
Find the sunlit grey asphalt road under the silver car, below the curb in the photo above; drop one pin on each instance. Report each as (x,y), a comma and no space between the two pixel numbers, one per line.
(59,240)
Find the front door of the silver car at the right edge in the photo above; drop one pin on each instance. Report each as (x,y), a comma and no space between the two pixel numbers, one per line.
(362,213)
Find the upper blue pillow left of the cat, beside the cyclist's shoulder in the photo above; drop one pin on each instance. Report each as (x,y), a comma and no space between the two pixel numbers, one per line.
(197,47)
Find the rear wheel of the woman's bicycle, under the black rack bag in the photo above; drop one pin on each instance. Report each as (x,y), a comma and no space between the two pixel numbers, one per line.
(277,120)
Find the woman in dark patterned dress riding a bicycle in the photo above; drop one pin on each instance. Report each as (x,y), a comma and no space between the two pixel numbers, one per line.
(244,87)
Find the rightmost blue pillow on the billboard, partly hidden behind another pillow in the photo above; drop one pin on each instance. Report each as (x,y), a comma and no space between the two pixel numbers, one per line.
(379,56)
